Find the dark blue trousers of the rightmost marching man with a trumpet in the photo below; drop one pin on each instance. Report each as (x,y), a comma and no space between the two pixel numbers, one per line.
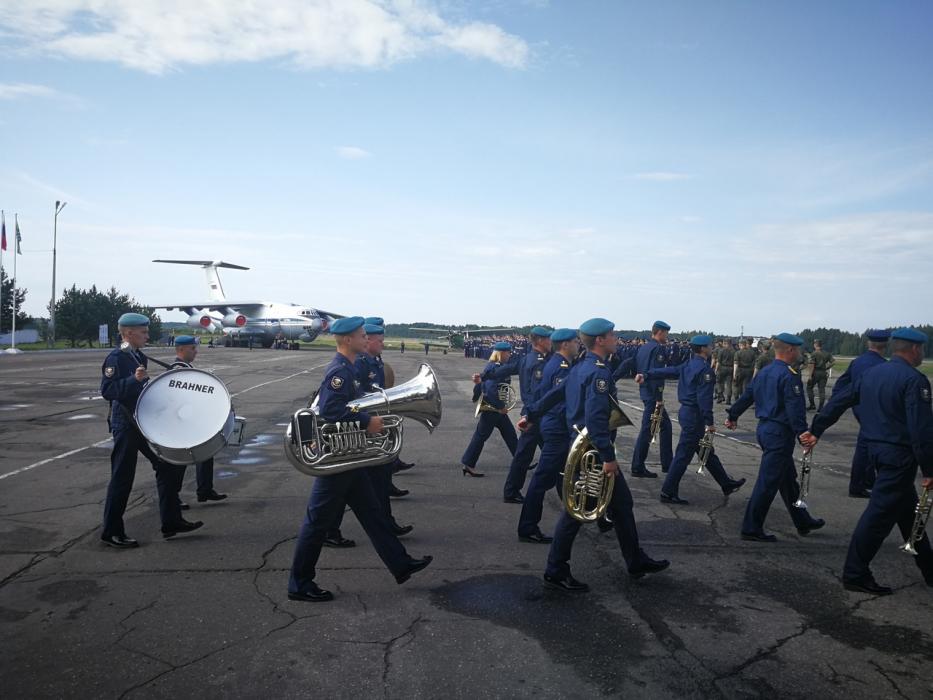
(893,502)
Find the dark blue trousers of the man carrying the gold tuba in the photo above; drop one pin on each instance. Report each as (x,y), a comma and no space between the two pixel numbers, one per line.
(623,520)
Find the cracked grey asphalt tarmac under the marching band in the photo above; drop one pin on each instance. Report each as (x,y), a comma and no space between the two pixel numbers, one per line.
(206,615)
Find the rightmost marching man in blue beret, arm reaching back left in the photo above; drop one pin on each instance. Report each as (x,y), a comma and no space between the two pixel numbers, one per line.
(897,426)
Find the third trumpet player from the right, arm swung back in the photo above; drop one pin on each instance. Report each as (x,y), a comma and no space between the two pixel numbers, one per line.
(695,388)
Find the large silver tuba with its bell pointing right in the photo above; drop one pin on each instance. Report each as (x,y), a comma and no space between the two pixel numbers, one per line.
(318,448)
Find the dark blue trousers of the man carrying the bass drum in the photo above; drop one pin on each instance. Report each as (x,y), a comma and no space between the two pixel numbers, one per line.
(128,442)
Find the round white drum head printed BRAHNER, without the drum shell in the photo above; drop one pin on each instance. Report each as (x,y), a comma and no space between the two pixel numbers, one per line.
(183,408)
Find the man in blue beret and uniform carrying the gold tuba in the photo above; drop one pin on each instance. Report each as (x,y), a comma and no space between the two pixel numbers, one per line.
(587,393)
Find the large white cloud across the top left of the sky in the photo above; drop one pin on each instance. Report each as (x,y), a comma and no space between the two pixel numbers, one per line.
(156,36)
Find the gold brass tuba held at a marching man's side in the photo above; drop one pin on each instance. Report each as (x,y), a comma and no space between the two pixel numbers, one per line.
(587,490)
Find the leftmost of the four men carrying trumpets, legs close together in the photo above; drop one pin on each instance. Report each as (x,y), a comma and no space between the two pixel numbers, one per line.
(650,356)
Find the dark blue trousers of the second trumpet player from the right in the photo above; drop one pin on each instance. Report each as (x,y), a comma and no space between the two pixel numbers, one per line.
(777,473)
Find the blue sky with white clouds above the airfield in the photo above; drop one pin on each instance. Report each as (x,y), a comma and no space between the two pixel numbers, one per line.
(720,165)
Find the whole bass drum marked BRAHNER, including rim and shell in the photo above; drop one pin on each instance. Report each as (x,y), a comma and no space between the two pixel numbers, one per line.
(186,416)
